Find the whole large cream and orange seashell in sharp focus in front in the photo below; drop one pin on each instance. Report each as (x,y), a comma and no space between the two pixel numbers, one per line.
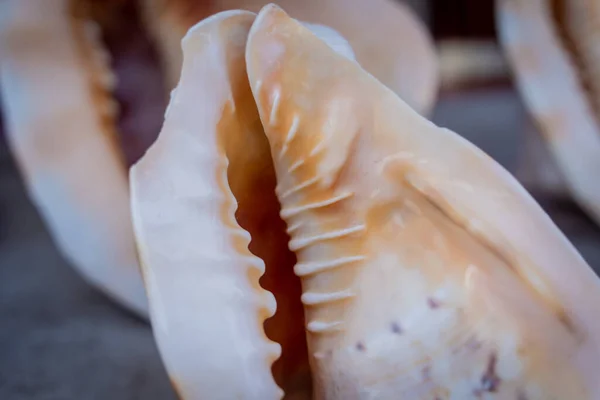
(426,270)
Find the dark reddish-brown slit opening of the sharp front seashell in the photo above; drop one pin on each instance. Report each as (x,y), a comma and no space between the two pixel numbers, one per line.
(251,179)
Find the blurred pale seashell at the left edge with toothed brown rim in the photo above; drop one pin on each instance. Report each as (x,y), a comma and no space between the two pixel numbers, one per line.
(55,85)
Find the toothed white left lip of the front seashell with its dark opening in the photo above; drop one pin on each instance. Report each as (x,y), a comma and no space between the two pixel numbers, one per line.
(206,192)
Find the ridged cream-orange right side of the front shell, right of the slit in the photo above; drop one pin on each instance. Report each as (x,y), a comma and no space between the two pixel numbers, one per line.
(403,226)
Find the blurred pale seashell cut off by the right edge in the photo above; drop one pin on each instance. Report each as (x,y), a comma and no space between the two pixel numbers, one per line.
(552,46)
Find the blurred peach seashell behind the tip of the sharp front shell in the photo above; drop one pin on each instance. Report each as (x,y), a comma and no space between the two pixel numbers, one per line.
(381,32)
